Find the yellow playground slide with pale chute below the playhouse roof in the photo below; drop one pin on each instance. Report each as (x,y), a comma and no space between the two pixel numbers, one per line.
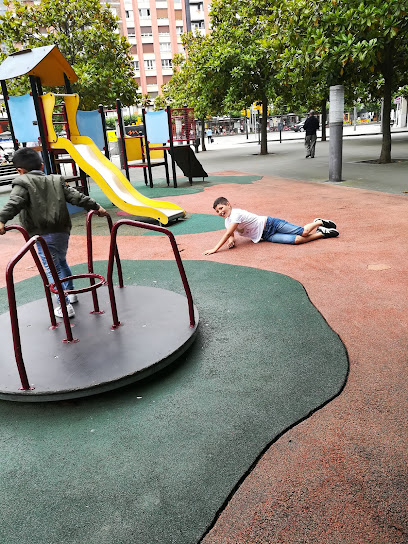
(105,174)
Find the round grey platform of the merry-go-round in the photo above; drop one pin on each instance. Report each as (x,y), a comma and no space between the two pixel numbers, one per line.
(155,331)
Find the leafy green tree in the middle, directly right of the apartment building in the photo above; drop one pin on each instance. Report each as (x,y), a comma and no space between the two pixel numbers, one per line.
(233,66)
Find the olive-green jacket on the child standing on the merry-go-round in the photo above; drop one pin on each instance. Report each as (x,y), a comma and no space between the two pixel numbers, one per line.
(40,200)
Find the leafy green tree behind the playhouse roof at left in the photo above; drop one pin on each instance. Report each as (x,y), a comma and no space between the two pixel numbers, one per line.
(86,33)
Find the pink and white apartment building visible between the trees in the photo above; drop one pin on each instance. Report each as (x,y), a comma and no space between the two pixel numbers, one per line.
(153,28)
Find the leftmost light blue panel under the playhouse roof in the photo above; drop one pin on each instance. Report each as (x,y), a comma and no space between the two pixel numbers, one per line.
(22,112)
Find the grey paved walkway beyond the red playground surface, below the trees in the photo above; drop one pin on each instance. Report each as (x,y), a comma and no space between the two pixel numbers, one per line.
(287,159)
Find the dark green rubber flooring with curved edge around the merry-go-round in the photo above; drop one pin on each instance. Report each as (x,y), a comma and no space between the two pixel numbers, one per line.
(153,463)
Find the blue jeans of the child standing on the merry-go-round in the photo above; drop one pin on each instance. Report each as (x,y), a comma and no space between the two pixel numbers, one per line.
(58,245)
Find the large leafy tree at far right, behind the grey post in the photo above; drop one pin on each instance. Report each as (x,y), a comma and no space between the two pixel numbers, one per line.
(359,44)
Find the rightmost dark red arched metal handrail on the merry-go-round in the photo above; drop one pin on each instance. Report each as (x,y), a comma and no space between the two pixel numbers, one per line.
(113,248)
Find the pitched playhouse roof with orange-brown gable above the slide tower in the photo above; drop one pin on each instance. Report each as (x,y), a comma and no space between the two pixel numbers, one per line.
(47,63)
